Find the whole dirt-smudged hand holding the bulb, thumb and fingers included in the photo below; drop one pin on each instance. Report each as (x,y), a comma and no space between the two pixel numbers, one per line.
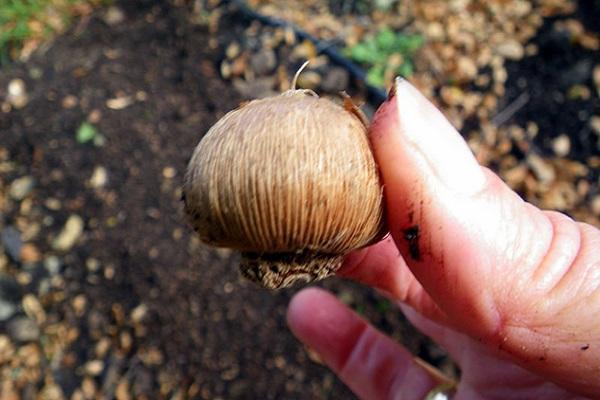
(510,291)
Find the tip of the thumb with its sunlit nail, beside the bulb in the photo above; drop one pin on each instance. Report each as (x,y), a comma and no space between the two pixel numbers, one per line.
(409,133)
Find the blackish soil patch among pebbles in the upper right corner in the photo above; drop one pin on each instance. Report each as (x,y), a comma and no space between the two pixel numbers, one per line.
(547,77)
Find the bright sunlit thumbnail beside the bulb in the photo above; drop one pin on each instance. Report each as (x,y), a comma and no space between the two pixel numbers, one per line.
(432,135)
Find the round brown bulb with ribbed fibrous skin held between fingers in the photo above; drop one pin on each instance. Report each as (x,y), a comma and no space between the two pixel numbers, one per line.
(290,181)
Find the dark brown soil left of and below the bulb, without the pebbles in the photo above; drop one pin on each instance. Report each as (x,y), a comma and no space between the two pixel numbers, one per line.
(219,335)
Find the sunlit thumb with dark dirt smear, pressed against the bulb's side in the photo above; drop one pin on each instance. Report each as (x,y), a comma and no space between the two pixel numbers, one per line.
(502,270)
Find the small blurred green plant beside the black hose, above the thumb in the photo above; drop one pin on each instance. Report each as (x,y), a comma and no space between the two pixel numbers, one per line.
(387,54)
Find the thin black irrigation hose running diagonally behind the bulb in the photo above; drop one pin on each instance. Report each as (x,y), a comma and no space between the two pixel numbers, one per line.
(376,94)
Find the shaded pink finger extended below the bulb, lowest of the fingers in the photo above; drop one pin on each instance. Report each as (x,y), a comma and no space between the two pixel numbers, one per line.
(371,364)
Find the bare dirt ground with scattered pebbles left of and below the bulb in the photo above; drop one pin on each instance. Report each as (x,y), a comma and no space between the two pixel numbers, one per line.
(135,304)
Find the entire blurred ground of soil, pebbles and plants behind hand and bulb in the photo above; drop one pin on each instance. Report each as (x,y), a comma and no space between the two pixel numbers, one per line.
(104,291)
